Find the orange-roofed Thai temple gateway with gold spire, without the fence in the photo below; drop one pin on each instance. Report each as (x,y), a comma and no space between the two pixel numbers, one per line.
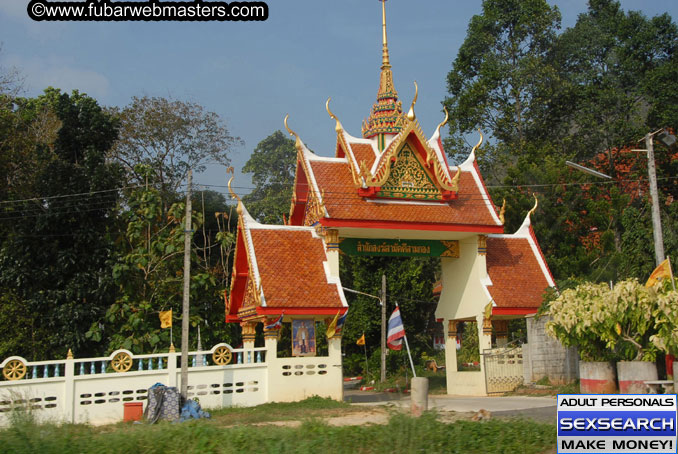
(389,192)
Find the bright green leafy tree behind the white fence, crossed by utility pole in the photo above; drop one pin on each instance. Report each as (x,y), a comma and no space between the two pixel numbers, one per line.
(149,276)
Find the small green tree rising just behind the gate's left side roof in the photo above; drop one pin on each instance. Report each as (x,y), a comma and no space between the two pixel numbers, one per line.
(273,164)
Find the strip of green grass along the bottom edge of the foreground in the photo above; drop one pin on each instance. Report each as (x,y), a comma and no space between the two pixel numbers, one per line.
(402,434)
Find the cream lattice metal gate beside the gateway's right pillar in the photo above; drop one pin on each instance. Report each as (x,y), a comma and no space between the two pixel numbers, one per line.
(503,368)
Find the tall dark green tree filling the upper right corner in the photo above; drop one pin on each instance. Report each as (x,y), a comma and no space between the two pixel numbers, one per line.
(617,72)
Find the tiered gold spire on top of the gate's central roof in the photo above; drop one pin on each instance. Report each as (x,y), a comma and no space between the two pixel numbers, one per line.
(386,116)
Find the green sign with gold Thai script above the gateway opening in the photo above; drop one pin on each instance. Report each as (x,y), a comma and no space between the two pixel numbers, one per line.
(400,248)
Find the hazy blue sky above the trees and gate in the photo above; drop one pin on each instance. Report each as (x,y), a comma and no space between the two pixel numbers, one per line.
(253,73)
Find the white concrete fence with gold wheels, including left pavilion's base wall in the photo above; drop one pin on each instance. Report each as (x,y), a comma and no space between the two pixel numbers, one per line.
(89,390)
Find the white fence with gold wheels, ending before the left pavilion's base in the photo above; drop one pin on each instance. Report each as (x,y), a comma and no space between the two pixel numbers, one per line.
(95,389)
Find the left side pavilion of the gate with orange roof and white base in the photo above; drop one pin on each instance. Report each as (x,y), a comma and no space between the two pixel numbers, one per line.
(283,271)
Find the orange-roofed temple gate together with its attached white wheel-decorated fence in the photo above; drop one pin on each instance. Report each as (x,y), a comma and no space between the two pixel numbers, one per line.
(390,192)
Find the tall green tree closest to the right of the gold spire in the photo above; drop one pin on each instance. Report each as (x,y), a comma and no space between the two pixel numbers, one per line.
(494,81)
